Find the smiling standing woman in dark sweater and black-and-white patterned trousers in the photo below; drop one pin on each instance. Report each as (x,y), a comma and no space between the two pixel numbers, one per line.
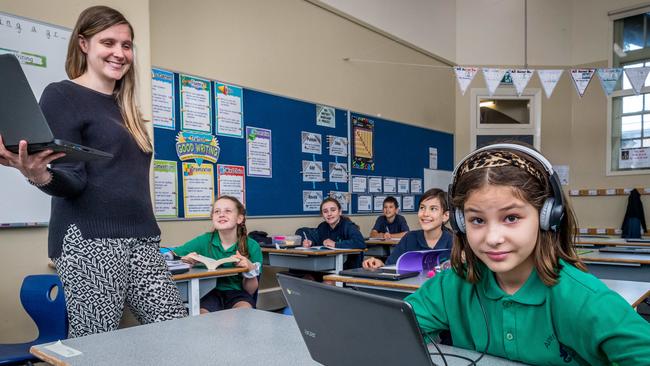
(103,236)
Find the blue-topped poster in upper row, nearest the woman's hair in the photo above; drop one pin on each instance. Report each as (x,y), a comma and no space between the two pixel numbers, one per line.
(162,99)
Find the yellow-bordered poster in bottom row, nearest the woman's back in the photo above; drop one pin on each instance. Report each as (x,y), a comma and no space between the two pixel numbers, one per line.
(165,183)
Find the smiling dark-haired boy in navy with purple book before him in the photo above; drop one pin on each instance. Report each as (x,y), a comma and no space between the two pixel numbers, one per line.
(432,215)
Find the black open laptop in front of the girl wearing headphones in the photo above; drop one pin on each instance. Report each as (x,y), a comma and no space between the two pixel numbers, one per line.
(330,318)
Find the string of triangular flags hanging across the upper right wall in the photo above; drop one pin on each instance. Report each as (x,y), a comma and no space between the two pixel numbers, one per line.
(581,78)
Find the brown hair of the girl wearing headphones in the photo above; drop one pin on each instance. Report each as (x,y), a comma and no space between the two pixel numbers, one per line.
(550,246)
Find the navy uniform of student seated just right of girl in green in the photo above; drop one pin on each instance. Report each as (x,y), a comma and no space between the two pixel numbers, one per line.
(346,234)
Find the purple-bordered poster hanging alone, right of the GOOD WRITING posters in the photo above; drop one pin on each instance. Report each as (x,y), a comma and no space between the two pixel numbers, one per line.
(258,152)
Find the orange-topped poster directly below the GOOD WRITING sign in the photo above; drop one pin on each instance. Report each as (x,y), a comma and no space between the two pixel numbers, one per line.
(198,189)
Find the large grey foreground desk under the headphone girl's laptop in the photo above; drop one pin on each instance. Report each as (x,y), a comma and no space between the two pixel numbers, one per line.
(230,337)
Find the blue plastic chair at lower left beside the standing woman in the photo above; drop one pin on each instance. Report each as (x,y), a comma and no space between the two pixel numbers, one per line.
(48,314)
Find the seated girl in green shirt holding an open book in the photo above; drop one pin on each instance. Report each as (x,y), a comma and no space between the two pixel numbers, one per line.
(229,238)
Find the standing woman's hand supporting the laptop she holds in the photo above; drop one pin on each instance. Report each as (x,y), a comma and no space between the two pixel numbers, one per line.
(33,167)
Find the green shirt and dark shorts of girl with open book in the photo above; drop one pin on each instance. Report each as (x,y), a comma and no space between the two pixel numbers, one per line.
(202,245)
